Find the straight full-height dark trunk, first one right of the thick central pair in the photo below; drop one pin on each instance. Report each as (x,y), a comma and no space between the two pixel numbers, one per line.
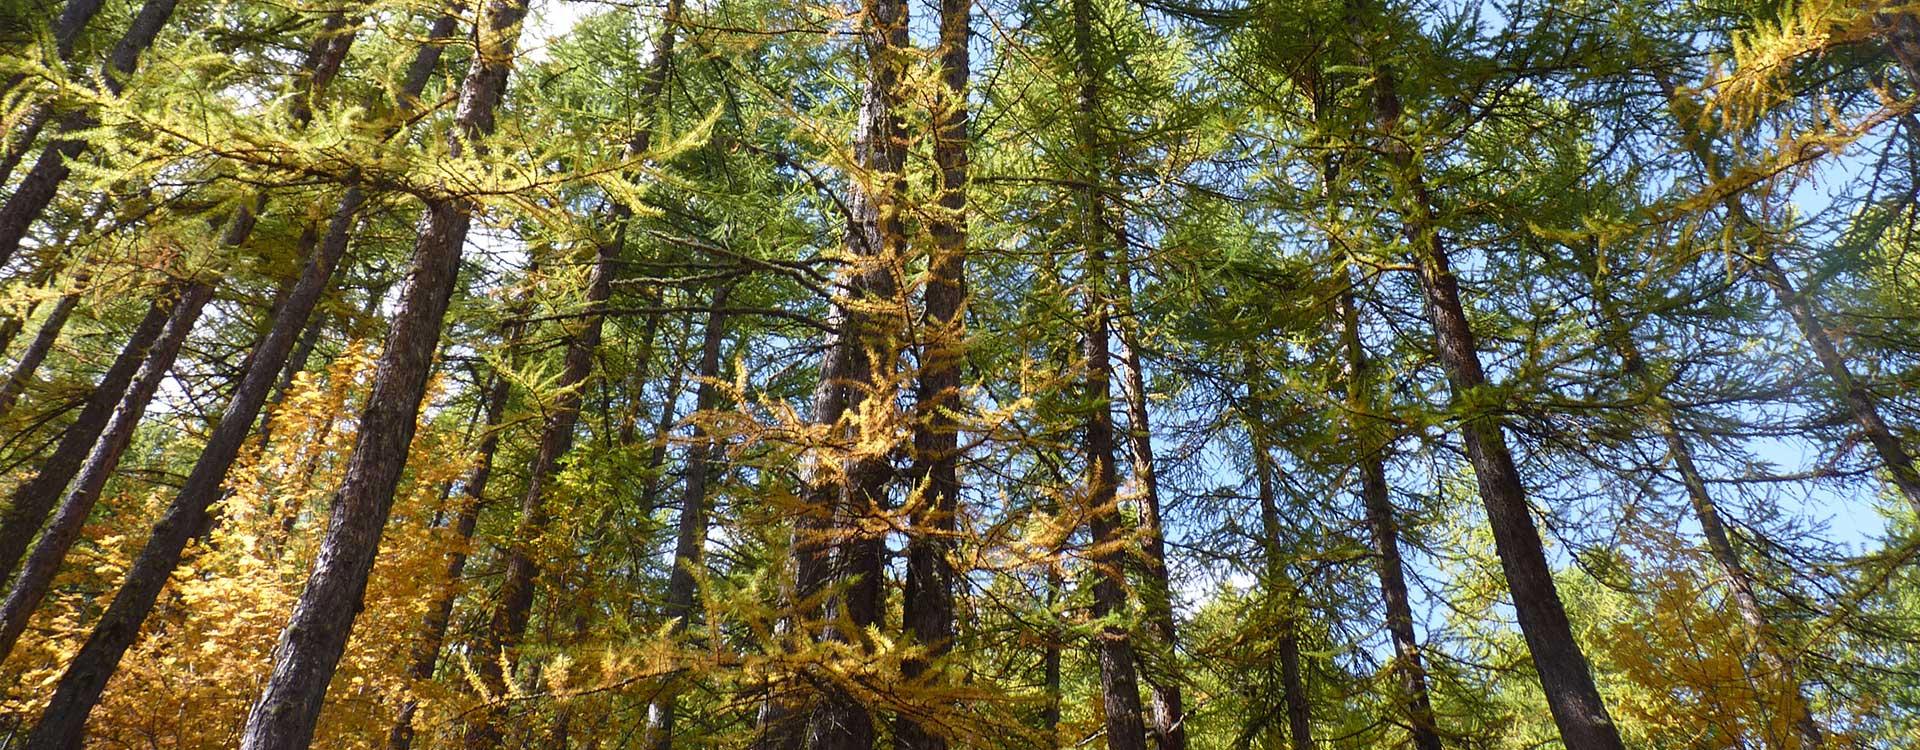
(1113,644)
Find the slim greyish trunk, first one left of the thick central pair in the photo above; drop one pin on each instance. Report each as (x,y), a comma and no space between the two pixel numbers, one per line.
(690,538)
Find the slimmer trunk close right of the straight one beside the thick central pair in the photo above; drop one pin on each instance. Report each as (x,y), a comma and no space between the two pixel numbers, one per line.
(1166,709)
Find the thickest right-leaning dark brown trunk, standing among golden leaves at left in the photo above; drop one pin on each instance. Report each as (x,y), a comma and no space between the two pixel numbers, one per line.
(324,619)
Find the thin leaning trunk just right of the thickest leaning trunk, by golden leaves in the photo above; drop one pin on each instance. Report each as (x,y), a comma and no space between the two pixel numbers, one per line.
(441,613)
